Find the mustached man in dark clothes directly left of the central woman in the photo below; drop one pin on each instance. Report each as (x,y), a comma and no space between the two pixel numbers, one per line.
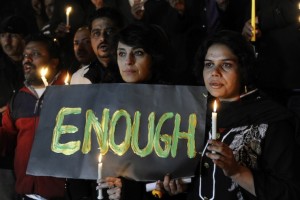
(104,24)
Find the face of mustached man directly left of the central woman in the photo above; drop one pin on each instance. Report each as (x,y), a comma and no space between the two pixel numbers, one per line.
(102,30)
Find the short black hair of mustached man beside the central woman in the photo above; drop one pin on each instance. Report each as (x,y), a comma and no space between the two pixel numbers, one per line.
(110,13)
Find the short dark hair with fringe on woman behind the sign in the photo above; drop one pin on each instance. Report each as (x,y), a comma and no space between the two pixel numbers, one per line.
(153,40)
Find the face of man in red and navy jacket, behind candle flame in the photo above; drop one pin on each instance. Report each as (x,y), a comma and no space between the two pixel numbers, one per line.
(35,57)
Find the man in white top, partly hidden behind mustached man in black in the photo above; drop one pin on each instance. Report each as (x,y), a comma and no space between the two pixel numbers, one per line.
(84,54)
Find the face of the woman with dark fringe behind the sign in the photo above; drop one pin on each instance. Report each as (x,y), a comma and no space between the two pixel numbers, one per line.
(134,64)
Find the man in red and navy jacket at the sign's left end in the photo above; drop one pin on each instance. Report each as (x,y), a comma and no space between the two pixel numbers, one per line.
(21,117)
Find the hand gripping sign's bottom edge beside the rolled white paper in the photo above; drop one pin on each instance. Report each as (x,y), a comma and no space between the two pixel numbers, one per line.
(171,186)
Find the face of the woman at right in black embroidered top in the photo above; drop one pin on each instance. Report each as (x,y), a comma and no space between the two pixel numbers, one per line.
(221,73)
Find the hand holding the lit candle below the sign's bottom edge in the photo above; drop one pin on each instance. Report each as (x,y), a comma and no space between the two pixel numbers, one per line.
(114,186)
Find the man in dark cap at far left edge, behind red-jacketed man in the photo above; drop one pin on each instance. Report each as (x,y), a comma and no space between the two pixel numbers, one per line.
(12,32)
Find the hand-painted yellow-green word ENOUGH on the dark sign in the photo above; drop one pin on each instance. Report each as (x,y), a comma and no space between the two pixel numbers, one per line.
(105,133)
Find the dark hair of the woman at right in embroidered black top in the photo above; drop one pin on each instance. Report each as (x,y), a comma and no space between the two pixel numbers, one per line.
(239,46)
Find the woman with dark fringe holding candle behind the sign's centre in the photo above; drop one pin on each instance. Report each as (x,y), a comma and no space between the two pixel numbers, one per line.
(142,53)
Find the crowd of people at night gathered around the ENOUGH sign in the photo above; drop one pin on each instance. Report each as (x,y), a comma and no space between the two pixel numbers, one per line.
(174,42)
